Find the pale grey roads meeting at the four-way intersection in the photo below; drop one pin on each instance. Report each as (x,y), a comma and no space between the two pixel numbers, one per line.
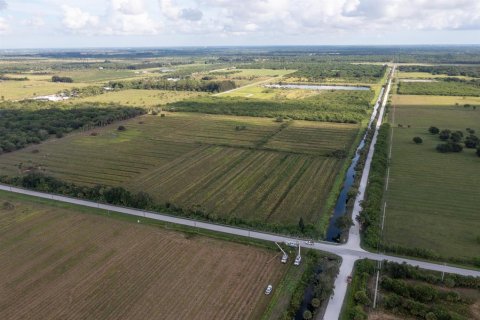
(350,252)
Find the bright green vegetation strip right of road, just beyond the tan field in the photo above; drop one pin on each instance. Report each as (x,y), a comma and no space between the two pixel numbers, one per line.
(445,87)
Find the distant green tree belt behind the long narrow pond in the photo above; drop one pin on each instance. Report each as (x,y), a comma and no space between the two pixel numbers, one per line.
(317,71)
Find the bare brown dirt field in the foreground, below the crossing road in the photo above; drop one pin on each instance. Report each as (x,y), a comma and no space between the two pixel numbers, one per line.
(60,264)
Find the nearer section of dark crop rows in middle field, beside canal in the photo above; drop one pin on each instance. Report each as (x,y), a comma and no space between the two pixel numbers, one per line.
(251,184)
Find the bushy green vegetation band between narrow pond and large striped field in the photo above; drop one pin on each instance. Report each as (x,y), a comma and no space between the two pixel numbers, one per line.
(333,106)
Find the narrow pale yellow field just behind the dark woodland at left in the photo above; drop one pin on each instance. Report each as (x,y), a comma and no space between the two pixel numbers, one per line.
(141,98)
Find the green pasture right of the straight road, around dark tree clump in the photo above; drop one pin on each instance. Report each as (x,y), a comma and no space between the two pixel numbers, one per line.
(432,198)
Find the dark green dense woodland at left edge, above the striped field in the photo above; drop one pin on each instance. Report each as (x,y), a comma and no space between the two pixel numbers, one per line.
(21,126)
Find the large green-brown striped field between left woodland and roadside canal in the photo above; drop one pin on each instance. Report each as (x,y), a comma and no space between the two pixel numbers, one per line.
(243,167)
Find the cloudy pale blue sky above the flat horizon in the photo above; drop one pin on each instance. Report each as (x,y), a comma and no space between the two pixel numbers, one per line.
(169,23)
